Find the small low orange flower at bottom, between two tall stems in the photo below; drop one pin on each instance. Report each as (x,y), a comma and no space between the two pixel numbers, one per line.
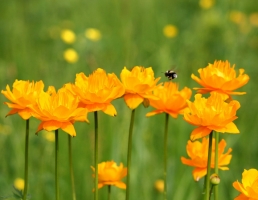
(110,174)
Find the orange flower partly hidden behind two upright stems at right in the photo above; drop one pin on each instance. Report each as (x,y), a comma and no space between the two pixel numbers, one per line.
(198,152)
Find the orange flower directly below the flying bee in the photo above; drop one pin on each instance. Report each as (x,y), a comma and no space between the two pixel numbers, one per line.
(170,100)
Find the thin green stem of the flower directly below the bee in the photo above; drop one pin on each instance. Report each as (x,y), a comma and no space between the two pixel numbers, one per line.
(165,155)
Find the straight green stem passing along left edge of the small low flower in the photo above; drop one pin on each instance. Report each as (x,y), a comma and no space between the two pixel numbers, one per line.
(96,154)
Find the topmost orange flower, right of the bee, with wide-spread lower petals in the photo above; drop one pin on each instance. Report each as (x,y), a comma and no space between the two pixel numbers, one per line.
(220,77)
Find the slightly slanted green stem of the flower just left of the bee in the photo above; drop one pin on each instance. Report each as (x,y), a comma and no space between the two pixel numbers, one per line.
(129,154)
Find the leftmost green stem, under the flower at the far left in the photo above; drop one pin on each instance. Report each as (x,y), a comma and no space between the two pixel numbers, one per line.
(26,160)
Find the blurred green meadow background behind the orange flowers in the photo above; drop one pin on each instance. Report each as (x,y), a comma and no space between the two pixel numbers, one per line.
(132,33)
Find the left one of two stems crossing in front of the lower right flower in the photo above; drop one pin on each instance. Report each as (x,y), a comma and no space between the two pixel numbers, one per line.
(207,178)
